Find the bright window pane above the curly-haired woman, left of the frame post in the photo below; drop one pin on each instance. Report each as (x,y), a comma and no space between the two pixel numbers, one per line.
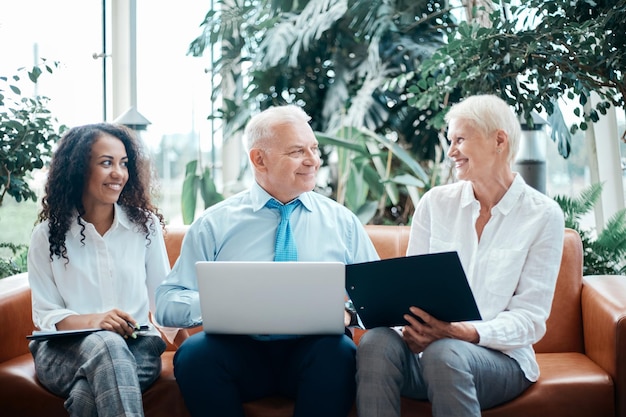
(69,32)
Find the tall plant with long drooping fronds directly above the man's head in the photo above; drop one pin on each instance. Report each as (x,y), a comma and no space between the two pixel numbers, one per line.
(333,57)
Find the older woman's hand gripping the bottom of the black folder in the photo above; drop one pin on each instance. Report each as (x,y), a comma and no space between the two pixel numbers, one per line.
(423,329)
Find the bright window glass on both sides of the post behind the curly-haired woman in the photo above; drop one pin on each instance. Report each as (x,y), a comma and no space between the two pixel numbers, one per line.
(173,91)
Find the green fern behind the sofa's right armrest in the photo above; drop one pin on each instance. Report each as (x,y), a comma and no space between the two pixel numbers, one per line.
(605,250)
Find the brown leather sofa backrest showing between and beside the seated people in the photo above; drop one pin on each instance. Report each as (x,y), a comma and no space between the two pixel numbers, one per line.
(564,327)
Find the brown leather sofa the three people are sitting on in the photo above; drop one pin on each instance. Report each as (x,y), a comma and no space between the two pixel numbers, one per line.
(582,356)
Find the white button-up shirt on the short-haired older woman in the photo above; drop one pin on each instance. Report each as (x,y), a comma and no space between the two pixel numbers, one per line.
(512,270)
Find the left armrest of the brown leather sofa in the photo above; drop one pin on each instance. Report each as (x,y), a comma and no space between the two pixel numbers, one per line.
(16,320)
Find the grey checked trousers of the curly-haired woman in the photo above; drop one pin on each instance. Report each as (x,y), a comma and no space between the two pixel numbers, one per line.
(100,375)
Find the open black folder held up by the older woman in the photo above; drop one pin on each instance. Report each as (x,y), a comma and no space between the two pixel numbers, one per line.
(382,291)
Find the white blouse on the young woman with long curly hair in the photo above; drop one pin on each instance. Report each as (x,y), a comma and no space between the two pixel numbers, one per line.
(118,270)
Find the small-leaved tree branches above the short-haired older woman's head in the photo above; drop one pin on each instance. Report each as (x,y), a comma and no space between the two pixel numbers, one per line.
(532,55)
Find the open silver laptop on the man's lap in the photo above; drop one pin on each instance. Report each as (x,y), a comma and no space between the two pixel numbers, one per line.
(286,298)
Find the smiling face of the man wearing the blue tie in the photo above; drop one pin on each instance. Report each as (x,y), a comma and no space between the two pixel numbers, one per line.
(288,166)
